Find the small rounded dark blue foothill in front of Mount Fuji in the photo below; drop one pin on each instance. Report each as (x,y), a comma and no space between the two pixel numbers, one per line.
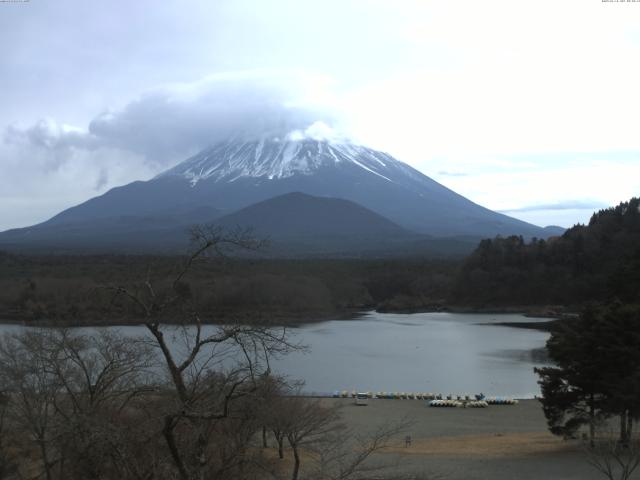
(298,224)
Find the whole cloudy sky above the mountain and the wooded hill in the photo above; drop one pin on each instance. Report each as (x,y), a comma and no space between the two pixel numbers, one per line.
(528,107)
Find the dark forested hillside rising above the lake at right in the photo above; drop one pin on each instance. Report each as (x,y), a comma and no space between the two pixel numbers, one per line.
(595,262)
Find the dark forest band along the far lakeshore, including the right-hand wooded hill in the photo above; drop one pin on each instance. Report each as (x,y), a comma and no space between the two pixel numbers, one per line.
(597,262)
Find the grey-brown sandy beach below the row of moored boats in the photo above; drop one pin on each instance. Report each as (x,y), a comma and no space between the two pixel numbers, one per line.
(498,443)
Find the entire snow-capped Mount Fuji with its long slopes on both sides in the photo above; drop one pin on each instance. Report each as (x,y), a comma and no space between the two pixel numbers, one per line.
(219,182)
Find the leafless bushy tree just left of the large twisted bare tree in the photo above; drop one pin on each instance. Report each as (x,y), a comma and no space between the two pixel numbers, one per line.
(100,376)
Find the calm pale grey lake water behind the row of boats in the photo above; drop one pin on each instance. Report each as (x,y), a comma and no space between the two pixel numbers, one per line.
(422,352)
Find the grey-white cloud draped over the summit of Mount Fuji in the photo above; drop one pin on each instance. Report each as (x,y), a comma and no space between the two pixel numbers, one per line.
(171,122)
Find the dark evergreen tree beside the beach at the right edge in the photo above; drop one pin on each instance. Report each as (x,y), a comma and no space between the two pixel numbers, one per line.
(597,373)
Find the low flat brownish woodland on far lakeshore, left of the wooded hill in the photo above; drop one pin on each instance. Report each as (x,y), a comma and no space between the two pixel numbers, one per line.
(69,289)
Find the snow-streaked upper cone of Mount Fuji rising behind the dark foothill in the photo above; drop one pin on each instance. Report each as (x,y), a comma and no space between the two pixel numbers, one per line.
(235,174)
